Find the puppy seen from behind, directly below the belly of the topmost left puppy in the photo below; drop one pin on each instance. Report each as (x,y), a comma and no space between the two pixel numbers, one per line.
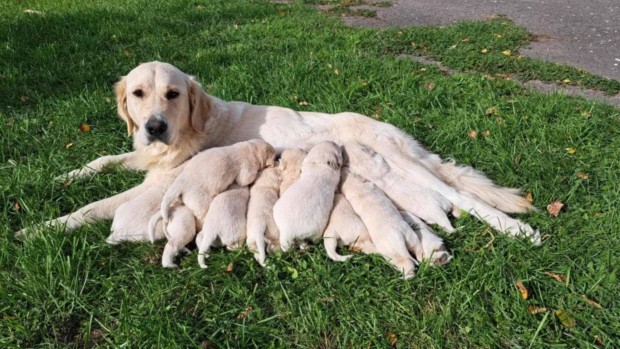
(225,222)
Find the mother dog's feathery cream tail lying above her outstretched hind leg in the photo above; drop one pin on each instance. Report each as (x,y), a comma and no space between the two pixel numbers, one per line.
(474,182)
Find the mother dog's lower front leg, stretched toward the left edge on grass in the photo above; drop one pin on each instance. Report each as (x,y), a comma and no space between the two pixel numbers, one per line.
(96,211)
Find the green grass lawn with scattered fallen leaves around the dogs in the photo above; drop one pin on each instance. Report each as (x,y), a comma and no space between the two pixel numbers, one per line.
(59,290)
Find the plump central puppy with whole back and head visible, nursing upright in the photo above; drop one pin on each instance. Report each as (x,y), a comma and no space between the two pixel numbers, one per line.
(303,210)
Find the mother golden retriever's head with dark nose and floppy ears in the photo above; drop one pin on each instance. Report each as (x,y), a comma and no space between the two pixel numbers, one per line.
(160,103)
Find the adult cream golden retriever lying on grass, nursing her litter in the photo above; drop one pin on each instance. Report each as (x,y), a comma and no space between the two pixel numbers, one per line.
(171,118)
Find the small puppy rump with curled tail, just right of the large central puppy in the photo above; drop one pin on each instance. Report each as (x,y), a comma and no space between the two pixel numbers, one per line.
(346,228)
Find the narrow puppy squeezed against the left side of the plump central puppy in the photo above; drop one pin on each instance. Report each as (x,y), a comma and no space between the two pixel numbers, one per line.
(261,229)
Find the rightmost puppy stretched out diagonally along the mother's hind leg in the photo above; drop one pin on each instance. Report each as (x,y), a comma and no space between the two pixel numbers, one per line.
(408,196)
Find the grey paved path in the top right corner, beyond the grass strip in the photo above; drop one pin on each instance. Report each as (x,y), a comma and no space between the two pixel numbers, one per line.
(581,33)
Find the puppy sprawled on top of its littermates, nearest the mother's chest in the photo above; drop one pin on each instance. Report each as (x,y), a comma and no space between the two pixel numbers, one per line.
(204,176)
